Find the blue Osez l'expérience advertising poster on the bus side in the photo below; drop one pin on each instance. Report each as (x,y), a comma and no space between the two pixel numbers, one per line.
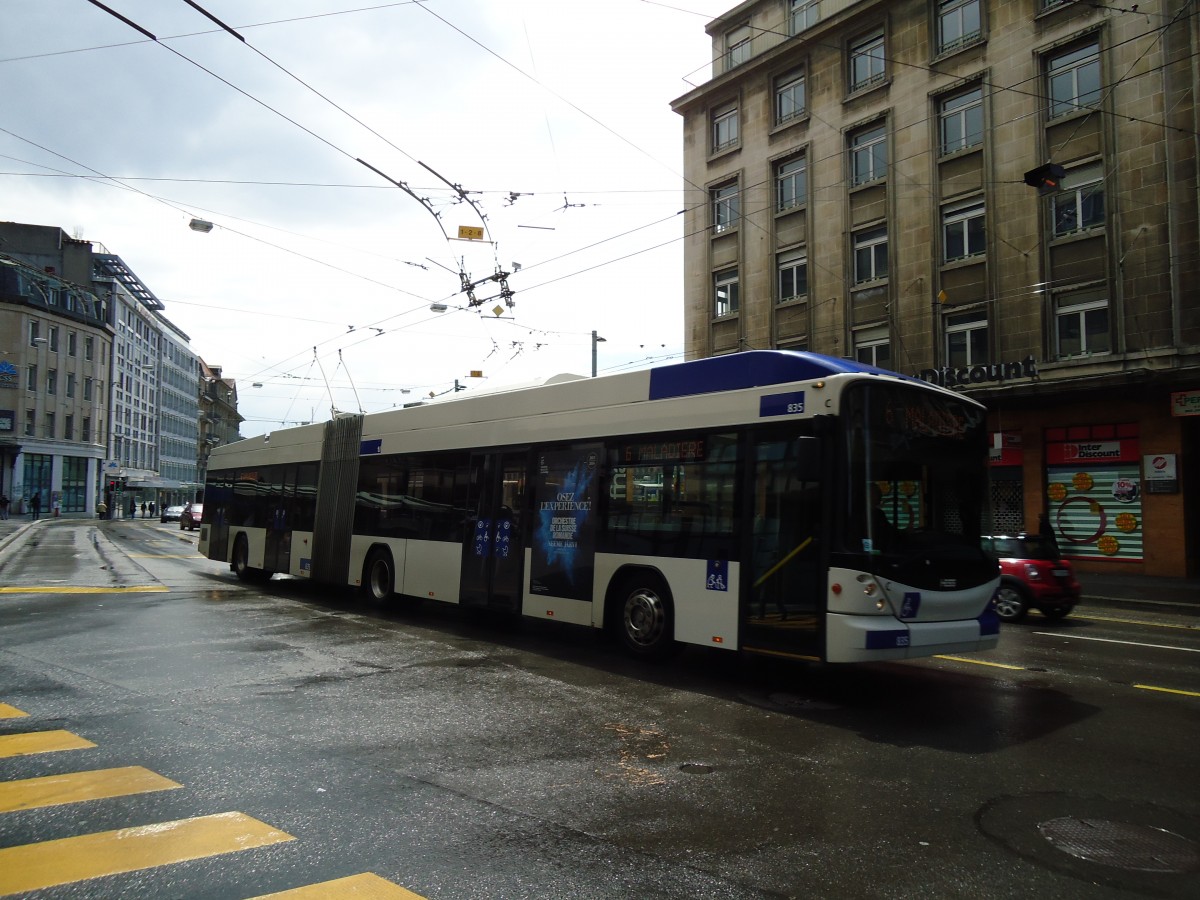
(565,533)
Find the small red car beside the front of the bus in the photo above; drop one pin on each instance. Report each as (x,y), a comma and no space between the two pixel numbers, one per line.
(1033,575)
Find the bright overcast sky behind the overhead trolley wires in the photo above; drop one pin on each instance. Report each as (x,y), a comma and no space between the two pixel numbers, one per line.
(551,116)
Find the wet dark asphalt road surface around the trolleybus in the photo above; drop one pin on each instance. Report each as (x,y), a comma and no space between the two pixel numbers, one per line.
(460,758)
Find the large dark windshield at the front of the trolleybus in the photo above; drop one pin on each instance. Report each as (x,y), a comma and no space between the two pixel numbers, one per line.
(915,484)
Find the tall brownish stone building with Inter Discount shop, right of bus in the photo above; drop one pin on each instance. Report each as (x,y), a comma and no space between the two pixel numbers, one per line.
(1000,197)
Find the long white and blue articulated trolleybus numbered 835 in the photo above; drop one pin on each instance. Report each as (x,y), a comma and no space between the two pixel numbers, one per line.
(771,502)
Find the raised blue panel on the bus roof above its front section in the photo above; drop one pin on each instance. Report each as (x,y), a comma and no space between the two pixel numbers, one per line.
(752,369)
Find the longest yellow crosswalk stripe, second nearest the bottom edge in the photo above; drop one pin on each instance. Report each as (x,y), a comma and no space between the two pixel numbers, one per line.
(34,867)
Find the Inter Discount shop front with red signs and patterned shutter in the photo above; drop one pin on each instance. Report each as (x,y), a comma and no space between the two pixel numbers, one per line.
(1109,471)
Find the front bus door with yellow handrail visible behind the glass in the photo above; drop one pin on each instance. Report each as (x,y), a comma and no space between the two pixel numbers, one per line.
(783,598)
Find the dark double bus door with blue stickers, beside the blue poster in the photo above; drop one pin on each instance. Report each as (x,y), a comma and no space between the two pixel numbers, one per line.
(494,544)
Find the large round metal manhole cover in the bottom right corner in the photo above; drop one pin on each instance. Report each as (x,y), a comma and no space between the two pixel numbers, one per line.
(1123,845)
